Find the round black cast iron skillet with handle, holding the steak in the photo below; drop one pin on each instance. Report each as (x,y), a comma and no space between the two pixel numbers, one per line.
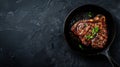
(81,13)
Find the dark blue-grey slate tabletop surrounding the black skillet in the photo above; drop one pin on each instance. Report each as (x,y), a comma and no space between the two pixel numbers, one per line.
(31,34)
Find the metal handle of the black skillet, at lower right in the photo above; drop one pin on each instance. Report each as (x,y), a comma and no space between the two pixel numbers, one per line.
(110,59)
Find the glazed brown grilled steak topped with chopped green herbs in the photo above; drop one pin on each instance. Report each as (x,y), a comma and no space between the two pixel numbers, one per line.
(91,32)
